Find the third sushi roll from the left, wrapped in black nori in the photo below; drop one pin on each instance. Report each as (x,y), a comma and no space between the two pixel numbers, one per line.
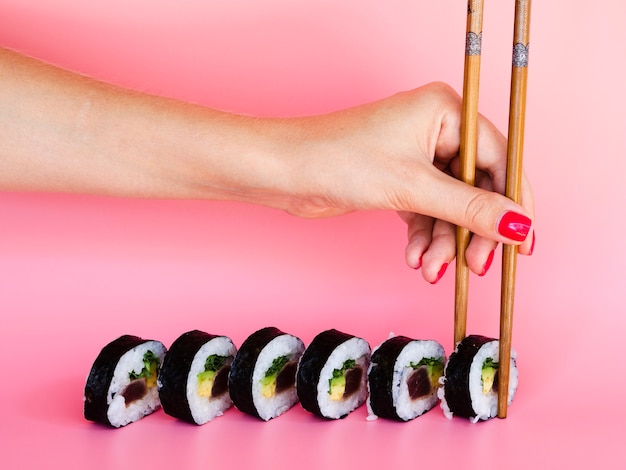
(262,375)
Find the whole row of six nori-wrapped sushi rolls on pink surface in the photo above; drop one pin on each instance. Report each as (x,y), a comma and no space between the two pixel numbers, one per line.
(202,375)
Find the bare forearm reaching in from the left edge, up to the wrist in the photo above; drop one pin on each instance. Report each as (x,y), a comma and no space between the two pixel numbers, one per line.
(63,132)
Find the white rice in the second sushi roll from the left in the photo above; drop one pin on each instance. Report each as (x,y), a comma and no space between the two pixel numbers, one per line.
(204,409)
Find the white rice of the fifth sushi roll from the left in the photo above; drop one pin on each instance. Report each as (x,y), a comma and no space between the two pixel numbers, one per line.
(406,407)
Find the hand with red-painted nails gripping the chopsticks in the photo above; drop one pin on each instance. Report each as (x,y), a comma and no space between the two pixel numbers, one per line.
(401,153)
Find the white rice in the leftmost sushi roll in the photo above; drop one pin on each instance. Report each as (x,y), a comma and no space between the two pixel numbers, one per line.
(118,413)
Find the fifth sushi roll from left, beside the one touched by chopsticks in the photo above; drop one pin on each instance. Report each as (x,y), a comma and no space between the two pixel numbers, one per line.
(403,378)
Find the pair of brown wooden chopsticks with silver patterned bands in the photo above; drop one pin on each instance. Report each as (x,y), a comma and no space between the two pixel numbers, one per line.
(469,137)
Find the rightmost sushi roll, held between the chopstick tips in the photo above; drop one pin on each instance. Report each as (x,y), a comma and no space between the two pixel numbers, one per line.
(471,378)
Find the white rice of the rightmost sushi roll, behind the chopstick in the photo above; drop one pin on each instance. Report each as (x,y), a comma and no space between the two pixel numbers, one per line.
(485,405)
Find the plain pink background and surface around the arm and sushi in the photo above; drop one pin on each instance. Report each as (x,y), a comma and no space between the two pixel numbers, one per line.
(76,271)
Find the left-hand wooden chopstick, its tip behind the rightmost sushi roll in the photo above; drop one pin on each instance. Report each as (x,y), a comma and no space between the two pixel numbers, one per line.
(469,138)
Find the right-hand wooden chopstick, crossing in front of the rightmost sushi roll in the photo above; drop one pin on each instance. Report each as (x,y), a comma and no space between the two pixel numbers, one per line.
(517,113)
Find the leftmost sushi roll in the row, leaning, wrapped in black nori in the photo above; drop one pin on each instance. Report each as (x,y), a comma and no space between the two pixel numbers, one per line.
(122,384)
